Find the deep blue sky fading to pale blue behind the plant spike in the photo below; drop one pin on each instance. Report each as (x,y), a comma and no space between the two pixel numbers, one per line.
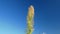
(13,16)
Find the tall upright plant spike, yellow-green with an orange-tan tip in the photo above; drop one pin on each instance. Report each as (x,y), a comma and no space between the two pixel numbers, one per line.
(30,20)
